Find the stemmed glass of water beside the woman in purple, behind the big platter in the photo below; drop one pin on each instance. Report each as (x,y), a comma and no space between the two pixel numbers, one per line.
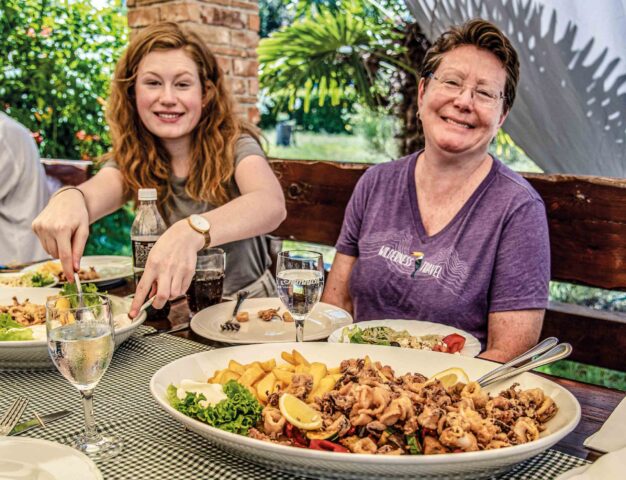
(300,281)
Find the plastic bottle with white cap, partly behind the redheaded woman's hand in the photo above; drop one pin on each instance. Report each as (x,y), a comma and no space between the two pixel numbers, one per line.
(145,231)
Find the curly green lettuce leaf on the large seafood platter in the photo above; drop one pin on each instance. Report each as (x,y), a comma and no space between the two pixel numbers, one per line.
(237,413)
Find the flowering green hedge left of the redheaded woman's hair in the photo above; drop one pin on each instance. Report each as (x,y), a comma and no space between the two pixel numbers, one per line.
(56,64)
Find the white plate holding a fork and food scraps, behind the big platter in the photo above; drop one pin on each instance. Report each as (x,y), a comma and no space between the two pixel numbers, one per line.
(321,322)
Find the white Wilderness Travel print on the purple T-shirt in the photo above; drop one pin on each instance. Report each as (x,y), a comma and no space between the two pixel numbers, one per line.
(401,256)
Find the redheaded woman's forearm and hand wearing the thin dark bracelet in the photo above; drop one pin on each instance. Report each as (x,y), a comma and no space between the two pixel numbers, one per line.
(63,226)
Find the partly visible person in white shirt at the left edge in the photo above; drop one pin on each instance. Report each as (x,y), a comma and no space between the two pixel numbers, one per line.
(23,193)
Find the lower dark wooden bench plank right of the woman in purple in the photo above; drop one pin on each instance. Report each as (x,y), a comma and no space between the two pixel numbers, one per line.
(597,337)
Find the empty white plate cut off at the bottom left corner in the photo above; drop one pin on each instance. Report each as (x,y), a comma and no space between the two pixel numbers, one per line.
(34,459)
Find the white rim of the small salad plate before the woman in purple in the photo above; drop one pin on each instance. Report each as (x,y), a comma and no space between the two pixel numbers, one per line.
(416,328)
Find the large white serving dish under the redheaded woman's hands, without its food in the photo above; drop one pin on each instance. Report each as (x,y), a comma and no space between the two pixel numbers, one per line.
(27,354)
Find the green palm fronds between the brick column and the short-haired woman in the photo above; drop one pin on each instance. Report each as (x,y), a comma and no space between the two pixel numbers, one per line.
(331,53)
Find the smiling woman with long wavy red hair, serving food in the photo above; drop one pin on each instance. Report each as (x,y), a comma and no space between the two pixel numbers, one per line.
(173,128)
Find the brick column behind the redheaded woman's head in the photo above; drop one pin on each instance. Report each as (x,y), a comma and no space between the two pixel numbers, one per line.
(230,29)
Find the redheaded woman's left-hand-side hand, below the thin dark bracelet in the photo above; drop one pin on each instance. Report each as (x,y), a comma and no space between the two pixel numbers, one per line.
(63,229)
